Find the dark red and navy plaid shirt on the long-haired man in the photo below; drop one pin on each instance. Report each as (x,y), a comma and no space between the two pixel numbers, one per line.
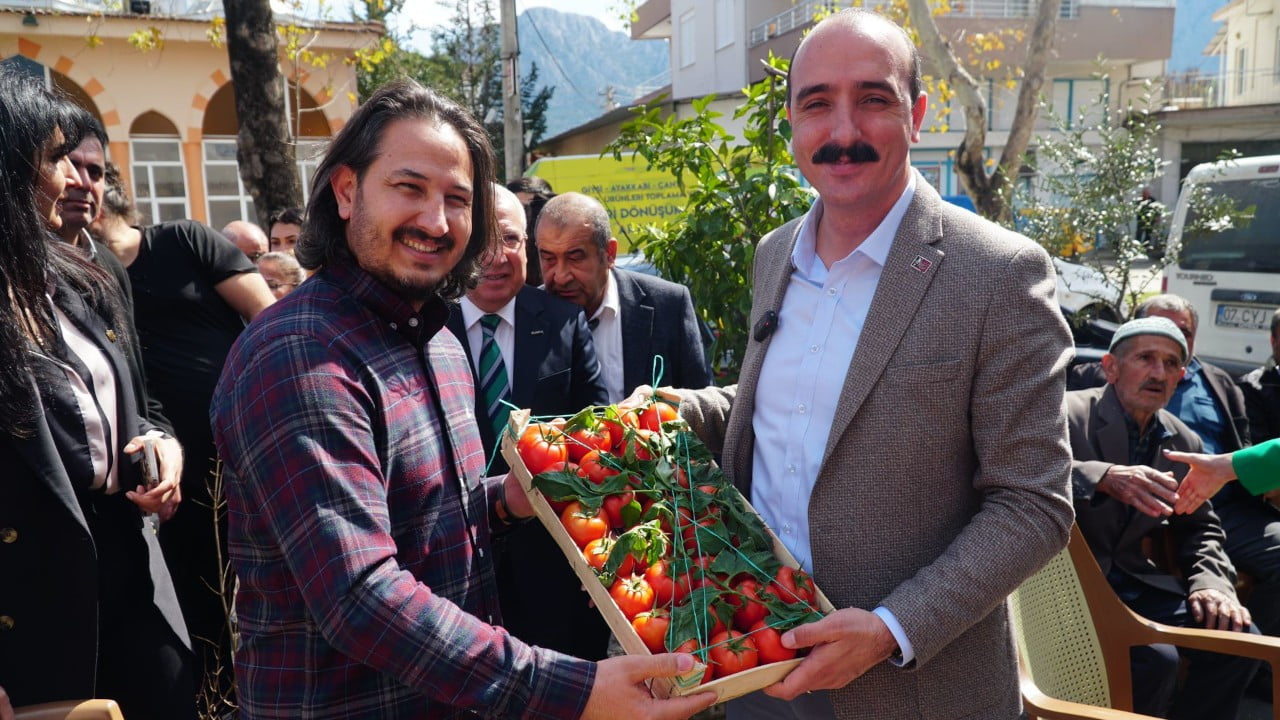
(364,593)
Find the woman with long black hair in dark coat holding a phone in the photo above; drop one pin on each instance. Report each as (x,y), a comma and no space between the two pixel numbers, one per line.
(86,605)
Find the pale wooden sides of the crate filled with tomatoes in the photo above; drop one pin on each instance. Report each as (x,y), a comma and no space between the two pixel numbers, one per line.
(725,689)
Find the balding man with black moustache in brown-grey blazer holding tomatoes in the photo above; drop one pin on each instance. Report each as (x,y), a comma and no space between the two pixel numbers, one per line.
(899,417)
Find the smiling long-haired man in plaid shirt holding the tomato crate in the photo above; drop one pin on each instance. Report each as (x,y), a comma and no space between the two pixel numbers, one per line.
(359,516)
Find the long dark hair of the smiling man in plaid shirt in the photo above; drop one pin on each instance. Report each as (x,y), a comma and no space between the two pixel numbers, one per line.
(324,238)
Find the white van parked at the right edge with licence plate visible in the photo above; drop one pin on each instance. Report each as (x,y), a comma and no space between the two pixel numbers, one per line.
(1232,277)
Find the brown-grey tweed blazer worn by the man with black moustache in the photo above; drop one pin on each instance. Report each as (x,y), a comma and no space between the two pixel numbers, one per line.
(945,479)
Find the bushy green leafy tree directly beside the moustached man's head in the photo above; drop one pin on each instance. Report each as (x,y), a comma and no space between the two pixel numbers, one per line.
(737,189)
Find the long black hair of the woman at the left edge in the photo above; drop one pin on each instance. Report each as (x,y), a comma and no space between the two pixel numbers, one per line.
(30,116)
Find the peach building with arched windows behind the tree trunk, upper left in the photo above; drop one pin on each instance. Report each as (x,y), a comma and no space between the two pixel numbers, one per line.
(159,81)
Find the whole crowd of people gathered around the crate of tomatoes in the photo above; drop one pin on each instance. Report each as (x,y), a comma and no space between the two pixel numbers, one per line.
(906,421)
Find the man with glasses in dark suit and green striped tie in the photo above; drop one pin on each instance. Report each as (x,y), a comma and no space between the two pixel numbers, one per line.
(533,352)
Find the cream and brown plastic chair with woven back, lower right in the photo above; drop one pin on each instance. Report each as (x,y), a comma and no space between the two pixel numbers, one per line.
(1075,637)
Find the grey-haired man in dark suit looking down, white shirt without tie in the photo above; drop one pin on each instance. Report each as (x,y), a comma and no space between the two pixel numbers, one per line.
(634,317)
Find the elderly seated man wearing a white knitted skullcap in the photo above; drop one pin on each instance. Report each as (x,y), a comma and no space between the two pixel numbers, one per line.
(1124,490)
